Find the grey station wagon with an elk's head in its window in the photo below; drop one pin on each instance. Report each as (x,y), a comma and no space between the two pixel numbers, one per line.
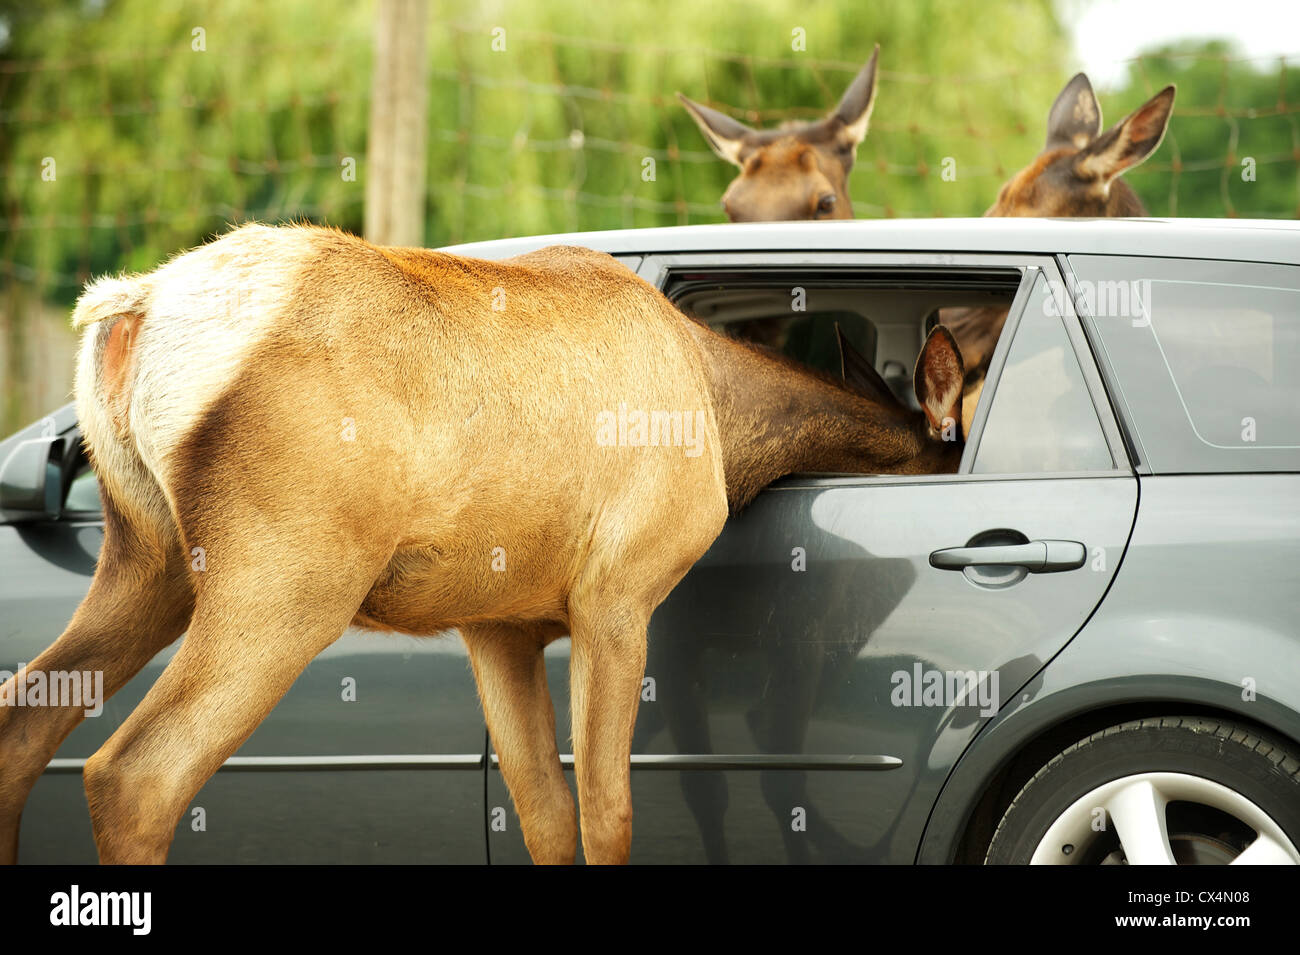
(1081,649)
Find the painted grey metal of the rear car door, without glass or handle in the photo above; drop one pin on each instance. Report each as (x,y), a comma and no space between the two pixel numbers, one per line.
(752,657)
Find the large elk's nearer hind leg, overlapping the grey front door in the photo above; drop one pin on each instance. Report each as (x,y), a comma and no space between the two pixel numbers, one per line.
(261,618)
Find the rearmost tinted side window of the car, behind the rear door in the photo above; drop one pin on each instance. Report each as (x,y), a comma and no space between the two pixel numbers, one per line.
(1203,355)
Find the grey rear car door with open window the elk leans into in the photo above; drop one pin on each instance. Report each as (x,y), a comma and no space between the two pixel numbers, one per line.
(817,675)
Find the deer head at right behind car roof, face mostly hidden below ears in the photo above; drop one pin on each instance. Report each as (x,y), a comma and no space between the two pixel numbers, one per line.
(1080,168)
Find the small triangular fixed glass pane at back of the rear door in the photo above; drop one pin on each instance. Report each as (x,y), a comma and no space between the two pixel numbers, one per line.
(1042,418)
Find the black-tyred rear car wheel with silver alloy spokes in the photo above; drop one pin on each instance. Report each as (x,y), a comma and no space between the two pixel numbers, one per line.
(1168,792)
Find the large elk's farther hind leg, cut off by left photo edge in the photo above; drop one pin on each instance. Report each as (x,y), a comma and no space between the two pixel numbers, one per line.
(141,600)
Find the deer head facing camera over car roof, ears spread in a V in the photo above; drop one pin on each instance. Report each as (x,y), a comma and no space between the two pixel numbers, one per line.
(799,171)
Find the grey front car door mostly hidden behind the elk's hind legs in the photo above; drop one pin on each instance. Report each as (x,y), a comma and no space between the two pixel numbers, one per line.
(375,756)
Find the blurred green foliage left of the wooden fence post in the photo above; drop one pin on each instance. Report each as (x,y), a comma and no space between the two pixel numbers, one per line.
(159,134)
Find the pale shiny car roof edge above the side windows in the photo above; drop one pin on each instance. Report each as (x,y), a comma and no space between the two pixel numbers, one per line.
(1260,241)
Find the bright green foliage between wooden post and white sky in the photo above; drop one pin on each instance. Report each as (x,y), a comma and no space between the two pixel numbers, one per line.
(954,85)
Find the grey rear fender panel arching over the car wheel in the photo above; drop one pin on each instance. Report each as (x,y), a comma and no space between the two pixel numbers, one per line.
(1230,644)
